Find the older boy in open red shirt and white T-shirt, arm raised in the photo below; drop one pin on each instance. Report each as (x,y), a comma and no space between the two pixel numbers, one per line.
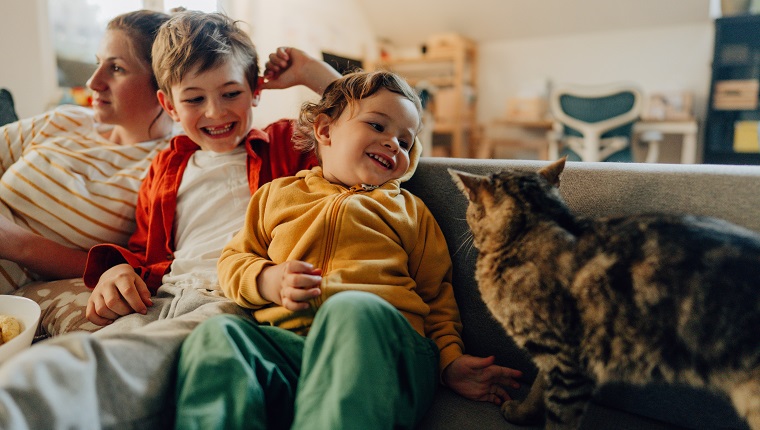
(192,201)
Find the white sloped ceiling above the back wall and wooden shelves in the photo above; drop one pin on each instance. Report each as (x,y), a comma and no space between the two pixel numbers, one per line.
(405,23)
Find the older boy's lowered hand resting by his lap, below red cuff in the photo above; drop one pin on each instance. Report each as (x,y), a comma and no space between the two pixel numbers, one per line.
(119,292)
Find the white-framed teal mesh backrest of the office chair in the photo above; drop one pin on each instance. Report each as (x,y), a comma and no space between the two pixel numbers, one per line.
(596,112)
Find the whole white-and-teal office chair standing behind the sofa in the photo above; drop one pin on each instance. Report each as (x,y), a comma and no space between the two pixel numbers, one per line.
(594,123)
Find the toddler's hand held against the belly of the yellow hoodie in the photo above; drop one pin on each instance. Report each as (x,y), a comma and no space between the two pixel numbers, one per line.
(290,284)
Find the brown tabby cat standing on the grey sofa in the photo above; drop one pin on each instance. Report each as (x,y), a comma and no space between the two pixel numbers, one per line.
(637,299)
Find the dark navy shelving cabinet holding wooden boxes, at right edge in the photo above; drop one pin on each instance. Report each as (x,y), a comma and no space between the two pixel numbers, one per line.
(733,117)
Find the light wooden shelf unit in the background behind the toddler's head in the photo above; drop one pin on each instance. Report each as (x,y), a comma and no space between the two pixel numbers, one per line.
(448,70)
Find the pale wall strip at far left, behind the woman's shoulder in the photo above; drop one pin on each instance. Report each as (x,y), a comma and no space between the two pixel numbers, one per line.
(27,68)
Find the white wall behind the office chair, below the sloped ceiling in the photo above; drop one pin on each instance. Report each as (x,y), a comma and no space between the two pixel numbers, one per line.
(658,59)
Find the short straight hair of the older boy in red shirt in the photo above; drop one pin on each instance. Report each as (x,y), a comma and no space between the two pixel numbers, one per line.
(193,39)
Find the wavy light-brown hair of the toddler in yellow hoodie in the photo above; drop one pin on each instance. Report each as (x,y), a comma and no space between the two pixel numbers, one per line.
(343,93)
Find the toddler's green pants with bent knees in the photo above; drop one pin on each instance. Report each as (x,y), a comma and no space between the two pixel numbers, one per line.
(361,366)
